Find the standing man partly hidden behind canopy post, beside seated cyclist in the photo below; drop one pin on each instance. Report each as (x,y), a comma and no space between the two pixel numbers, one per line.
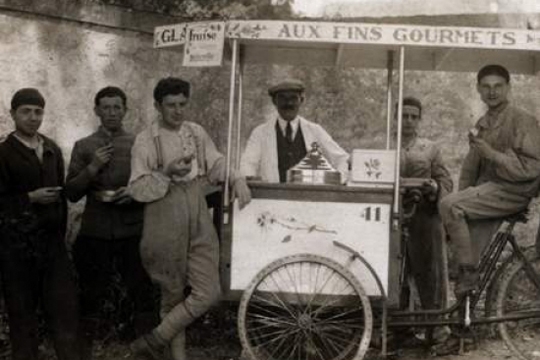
(422,158)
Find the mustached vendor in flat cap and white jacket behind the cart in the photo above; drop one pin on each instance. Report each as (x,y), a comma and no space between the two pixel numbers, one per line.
(280,143)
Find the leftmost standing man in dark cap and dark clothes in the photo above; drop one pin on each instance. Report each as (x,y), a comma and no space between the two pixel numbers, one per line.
(34,263)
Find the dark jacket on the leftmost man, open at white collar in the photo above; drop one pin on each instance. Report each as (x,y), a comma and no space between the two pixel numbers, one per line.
(22,172)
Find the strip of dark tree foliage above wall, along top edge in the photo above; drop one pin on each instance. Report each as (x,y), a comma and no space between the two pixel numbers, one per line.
(210,9)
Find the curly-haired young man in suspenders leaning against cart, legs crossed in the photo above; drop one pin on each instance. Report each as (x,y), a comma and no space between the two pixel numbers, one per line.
(172,160)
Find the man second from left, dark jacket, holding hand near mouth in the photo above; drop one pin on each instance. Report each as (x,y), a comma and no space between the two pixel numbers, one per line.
(109,238)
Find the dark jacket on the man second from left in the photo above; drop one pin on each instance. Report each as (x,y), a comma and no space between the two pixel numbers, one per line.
(101,219)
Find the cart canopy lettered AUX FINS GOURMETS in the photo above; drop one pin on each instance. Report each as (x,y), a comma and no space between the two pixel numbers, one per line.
(366,45)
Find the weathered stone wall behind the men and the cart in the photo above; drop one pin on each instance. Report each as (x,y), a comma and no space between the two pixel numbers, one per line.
(69,60)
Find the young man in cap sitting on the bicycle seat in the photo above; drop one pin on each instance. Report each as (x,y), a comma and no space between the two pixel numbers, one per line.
(499,176)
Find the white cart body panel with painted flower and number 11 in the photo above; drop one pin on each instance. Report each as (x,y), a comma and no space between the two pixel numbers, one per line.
(284,220)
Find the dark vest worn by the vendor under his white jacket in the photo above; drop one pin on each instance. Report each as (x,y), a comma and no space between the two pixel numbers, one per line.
(289,154)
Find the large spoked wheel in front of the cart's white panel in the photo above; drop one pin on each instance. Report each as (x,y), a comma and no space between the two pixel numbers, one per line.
(305,307)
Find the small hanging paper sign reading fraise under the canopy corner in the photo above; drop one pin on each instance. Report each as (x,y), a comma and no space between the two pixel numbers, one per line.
(204,44)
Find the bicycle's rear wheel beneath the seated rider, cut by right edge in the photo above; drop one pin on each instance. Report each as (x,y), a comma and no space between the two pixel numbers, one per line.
(517,293)
